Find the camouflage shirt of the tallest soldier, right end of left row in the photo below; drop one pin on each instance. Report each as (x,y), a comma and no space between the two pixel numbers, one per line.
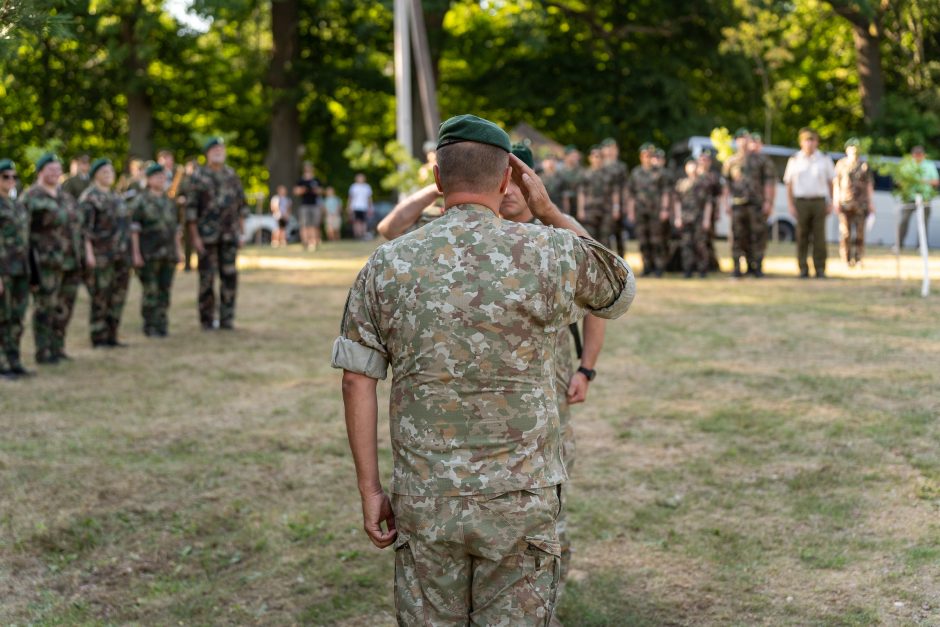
(215,201)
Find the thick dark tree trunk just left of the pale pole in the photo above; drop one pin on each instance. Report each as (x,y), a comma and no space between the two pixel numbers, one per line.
(283,148)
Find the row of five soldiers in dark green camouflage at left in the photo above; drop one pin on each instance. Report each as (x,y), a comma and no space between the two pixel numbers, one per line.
(56,236)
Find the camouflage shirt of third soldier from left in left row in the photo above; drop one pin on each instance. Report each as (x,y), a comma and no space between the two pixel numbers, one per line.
(107,223)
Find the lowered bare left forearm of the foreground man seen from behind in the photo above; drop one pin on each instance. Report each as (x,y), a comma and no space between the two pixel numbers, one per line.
(361,403)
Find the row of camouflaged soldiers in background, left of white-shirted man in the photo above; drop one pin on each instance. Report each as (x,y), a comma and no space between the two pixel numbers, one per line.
(609,198)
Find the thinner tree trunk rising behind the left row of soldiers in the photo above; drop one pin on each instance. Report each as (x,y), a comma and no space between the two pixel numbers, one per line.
(139,105)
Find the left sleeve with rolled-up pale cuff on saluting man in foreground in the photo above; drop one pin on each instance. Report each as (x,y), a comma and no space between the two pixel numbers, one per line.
(361,347)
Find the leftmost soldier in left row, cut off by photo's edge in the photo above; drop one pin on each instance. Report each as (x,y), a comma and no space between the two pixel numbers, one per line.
(14,273)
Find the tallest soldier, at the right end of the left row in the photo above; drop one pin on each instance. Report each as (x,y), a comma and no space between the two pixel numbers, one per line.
(216,211)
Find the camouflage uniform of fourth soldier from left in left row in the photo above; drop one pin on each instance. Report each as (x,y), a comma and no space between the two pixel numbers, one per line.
(154,218)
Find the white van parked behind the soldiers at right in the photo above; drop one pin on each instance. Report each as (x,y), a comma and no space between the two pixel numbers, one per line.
(783,227)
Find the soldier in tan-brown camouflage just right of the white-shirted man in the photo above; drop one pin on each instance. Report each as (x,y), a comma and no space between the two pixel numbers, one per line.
(852,191)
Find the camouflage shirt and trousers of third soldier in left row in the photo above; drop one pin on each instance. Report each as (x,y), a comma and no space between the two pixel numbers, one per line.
(107,227)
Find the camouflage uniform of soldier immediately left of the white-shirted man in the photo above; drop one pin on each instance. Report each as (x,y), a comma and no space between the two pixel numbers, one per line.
(745,176)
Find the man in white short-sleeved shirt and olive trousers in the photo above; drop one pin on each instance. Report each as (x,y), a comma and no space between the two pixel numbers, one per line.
(808,178)
